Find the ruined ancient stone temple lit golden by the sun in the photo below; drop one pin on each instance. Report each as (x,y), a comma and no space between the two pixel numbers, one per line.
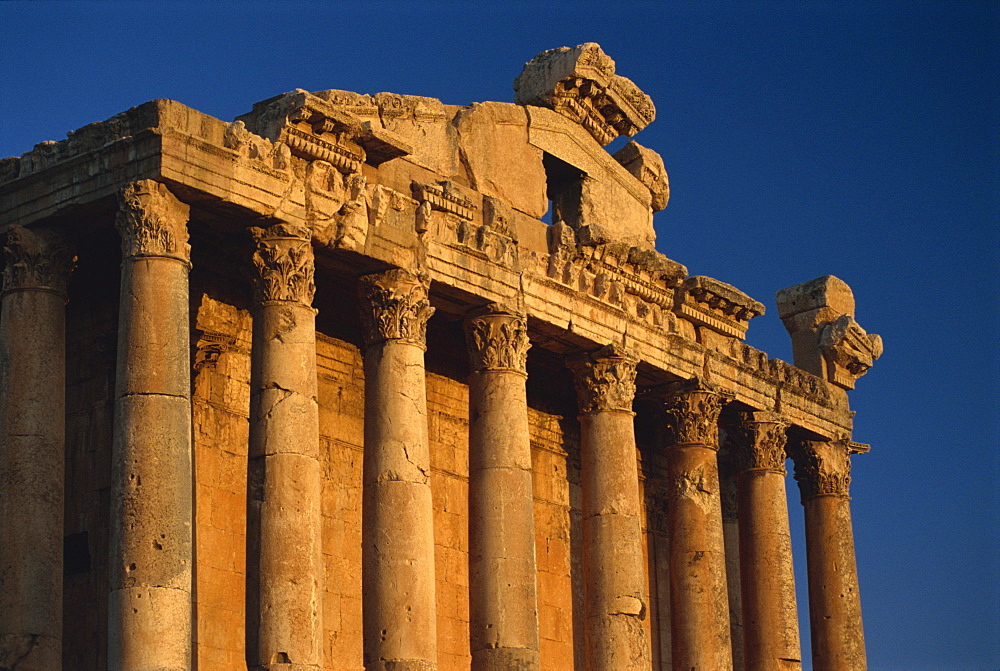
(325,387)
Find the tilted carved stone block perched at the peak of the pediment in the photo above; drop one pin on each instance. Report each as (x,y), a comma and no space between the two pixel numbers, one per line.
(580,83)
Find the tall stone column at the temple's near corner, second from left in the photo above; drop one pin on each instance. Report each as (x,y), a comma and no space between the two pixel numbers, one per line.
(150,609)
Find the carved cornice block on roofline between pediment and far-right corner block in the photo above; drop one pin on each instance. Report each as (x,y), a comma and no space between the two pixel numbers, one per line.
(716,305)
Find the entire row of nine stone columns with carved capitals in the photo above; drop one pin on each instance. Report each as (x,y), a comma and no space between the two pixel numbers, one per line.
(151,614)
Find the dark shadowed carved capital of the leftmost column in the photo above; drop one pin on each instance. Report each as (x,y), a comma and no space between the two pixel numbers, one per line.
(36,260)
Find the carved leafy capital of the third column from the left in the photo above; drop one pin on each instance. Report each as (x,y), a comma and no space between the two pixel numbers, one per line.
(285,264)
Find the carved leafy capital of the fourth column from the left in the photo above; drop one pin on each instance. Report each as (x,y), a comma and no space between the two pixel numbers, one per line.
(394,306)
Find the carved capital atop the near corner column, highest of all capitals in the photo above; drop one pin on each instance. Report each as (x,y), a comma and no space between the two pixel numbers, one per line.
(152,222)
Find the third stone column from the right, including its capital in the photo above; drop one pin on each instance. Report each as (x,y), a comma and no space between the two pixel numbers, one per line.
(699,603)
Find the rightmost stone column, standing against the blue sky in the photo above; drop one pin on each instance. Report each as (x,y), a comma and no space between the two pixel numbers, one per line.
(823,471)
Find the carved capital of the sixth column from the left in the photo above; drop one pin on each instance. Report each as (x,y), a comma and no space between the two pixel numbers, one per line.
(605,380)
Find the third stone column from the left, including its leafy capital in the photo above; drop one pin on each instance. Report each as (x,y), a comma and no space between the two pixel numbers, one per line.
(285,476)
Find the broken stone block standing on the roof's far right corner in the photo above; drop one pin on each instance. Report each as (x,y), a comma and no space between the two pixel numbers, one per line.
(826,341)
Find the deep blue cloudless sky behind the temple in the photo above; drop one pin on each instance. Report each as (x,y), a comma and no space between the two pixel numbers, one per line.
(801,139)
